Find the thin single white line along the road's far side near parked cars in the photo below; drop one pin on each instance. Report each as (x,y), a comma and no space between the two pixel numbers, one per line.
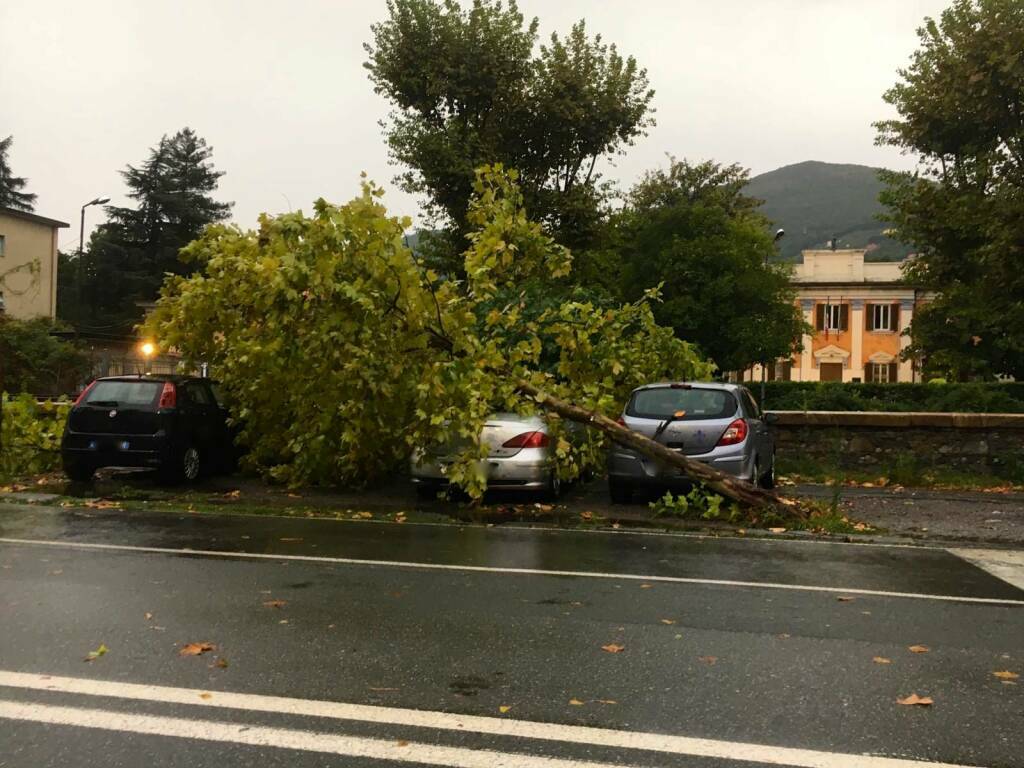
(495,570)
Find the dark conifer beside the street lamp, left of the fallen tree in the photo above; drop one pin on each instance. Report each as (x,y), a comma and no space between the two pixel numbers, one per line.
(131,254)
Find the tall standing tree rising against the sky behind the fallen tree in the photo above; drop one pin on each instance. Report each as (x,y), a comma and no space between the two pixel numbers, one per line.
(472,87)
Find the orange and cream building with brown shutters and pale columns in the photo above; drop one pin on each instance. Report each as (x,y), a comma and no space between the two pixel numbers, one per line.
(860,313)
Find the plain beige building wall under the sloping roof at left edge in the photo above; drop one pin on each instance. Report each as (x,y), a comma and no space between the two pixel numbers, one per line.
(27,295)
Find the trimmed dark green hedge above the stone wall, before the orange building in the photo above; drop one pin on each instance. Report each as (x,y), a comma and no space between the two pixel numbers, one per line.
(974,398)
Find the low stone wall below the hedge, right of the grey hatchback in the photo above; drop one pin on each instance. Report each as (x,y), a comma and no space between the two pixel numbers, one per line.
(971,443)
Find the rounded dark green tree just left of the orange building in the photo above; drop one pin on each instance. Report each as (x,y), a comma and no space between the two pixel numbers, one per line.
(693,231)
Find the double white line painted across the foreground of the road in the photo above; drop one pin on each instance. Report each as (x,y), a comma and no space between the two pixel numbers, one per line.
(372,748)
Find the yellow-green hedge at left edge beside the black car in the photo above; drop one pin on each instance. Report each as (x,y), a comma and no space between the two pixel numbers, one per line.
(31,434)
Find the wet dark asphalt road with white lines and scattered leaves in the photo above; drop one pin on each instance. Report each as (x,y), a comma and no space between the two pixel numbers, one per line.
(723,639)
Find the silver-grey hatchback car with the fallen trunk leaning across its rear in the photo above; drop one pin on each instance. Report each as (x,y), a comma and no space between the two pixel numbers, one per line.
(718,424)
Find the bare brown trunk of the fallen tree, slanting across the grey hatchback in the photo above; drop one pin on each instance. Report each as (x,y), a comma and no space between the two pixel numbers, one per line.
(720,483)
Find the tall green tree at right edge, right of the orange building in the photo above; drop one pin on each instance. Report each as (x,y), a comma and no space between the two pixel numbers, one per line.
(961,106)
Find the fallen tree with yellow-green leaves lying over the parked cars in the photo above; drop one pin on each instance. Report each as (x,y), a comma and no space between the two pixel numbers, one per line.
(340,354)
